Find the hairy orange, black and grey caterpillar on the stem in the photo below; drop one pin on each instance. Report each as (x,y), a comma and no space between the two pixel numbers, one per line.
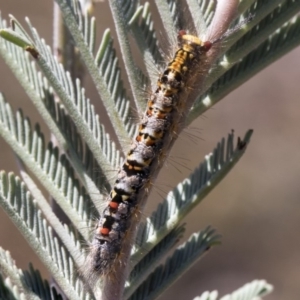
(159,119)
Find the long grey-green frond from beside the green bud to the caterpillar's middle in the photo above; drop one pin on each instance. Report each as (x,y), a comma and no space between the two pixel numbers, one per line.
(78,106)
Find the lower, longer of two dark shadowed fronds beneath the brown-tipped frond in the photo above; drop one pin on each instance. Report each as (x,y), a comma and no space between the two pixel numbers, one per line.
(176,265)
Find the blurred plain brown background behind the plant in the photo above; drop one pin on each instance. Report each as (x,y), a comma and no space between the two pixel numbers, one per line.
(256,207)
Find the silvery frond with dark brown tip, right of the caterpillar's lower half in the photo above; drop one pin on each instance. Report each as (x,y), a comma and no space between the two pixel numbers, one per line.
(189,193)
